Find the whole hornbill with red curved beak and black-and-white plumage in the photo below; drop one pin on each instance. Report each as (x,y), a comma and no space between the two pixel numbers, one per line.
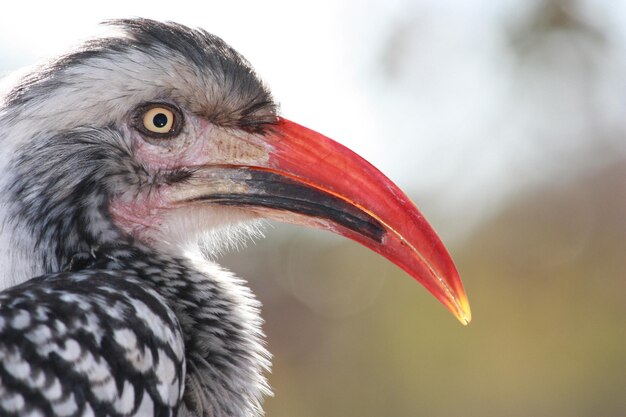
(126,165)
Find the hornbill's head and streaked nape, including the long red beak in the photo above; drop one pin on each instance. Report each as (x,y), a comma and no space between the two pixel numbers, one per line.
(165,135)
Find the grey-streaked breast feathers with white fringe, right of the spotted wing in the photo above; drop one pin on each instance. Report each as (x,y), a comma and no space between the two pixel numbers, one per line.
(224,347)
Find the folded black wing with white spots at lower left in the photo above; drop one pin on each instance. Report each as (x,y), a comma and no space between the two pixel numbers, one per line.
(90,342)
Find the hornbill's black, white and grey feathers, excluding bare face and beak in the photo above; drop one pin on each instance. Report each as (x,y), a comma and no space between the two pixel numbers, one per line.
(92,322)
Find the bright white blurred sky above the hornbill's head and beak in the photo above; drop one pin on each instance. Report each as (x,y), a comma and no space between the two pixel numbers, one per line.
(426,90)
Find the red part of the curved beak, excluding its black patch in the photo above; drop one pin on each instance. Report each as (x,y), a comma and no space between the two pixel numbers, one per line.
(405,238)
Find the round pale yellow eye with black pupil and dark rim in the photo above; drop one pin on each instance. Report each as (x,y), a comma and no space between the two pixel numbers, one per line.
(158,120)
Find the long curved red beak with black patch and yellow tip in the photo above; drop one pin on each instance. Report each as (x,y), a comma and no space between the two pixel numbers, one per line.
(308,178)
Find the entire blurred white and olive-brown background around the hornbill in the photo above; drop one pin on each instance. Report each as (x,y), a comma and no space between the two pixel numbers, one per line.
(505,121)
